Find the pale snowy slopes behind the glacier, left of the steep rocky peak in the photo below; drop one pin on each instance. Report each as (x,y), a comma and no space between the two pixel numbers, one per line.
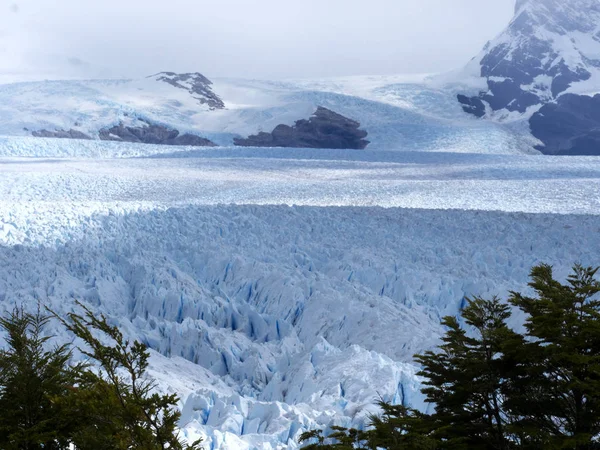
(396,113)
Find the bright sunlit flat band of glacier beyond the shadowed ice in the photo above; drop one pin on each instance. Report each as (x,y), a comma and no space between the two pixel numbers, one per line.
(316,177)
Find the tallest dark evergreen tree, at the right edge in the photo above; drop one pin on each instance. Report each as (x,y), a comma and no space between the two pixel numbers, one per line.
(559,398)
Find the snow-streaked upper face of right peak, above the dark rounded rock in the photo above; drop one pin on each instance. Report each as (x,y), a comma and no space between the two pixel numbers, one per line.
(549,47)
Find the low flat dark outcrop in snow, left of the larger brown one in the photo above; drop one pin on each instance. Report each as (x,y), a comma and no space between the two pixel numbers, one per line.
(152,134)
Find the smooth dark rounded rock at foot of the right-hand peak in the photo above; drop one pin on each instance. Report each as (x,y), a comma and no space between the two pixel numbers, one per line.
(570,126)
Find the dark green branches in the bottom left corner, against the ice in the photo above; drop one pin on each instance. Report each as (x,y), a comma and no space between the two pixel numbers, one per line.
(47,403)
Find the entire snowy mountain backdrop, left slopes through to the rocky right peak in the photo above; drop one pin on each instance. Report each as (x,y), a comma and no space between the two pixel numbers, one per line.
(534,84)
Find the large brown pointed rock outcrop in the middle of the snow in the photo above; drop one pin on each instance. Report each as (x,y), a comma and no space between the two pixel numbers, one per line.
(325,129)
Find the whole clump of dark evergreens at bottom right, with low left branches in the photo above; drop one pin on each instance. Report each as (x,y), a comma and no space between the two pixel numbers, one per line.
(495,389)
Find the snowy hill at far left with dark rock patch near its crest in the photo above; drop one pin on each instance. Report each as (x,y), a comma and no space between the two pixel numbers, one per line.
(85,108)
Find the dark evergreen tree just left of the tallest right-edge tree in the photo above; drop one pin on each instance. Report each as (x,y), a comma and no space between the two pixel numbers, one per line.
(467,379)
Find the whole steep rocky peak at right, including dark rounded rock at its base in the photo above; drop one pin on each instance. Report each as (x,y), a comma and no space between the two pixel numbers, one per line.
(546,64)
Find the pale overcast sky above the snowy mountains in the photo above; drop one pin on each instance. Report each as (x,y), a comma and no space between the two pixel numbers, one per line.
(243,38)
